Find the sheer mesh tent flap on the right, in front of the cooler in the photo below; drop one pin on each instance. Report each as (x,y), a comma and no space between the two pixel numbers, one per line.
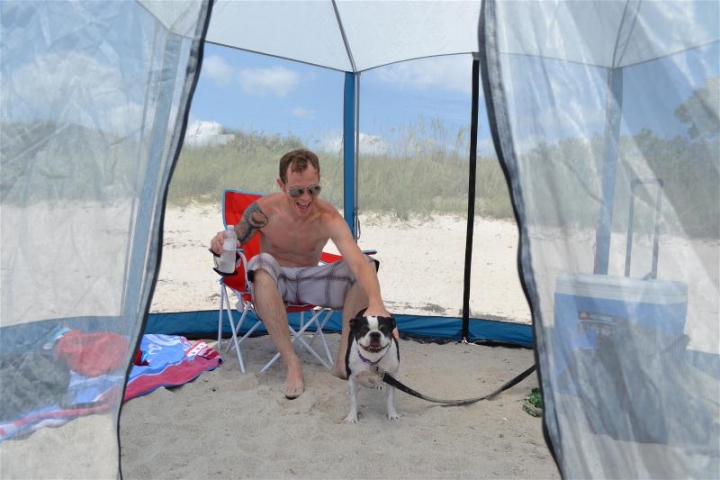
(616,347)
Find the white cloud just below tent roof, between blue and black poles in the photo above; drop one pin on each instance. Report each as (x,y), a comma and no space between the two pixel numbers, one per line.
(449,73)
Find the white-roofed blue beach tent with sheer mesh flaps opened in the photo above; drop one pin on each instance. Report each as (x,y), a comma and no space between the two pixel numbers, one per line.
(584,99)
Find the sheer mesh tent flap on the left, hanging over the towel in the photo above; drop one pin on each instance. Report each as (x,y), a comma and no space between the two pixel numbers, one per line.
(93,105)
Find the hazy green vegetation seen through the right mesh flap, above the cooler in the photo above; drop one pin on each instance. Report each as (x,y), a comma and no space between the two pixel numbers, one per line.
(564,181)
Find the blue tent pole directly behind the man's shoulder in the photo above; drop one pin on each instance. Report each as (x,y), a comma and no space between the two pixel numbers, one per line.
(350,151)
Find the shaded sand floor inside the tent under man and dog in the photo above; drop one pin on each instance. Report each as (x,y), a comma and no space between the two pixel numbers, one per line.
(229,425)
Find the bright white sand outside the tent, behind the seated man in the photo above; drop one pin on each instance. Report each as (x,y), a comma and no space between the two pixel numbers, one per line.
(421,264)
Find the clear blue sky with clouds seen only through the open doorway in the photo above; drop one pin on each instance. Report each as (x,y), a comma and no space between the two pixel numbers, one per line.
(255,93)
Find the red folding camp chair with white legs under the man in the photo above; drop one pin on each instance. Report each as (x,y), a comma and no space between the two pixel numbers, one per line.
(311,318)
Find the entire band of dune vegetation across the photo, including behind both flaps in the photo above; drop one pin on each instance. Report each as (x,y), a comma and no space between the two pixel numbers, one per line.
(422,172)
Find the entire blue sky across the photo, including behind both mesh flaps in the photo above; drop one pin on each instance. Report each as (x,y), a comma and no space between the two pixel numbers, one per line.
(429,98)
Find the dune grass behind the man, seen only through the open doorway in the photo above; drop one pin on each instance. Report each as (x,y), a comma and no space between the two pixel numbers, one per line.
(417,179)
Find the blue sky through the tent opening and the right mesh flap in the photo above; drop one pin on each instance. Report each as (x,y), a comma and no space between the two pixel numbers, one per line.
(430,97)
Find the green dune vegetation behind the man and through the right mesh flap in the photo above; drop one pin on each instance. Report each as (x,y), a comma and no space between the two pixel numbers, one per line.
(424,172)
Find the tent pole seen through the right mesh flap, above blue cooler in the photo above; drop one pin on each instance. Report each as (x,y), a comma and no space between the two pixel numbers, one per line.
(612,137)
